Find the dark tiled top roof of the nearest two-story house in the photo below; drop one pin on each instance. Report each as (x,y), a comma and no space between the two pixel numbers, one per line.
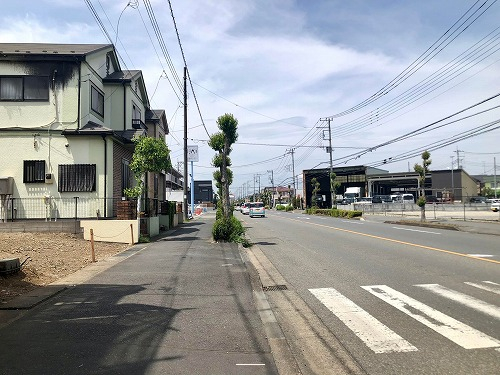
(49,49)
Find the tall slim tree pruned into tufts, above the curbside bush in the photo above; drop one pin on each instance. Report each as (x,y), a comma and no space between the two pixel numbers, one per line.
(221,142)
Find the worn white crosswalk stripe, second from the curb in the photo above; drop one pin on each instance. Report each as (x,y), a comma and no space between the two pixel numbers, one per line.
(458,332)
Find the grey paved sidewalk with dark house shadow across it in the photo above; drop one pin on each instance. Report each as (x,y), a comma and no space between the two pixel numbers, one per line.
(179,305)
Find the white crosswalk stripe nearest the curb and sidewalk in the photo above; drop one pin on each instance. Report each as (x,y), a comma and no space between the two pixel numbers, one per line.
(372,332)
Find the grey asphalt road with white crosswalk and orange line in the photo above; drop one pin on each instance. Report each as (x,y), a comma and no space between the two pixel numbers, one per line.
(381,298)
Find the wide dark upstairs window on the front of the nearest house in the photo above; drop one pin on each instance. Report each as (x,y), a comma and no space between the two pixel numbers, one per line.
(24,88)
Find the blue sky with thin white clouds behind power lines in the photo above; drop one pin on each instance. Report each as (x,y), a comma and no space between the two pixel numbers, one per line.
(390,78)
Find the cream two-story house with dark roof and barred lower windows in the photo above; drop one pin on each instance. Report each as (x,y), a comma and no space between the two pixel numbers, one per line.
(68,114)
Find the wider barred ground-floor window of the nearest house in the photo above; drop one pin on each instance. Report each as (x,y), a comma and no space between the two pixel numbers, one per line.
(77,177)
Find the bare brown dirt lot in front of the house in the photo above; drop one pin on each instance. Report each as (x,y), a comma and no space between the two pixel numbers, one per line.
(50,256)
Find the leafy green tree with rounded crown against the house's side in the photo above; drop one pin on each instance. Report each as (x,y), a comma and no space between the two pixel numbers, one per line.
(150,155)
